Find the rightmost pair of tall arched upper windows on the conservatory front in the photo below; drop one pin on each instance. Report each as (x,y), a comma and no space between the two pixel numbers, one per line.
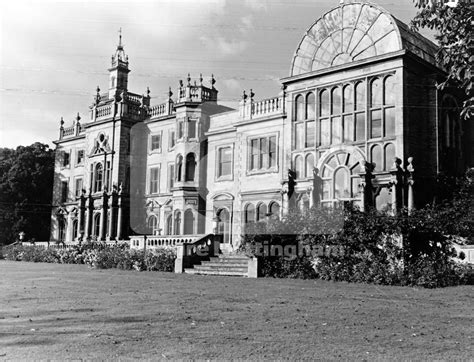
(382,107)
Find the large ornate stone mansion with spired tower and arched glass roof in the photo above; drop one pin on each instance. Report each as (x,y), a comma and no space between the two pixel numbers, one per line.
(358,120)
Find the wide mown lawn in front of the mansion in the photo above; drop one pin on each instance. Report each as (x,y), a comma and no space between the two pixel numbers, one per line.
(70,311)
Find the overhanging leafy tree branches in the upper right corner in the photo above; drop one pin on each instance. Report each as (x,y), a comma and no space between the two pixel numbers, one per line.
(453,25)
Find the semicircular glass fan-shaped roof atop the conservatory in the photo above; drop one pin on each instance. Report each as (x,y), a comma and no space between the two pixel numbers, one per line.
(355,31)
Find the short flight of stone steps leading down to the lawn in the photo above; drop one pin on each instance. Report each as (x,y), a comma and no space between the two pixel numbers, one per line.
(231,265)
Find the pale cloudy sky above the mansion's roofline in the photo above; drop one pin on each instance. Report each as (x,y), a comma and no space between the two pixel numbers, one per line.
(53,54)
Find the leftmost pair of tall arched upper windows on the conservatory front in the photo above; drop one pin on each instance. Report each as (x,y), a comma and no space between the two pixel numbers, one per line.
(304,118)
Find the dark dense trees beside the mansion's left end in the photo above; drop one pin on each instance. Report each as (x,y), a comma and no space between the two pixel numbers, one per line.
(26,186)
